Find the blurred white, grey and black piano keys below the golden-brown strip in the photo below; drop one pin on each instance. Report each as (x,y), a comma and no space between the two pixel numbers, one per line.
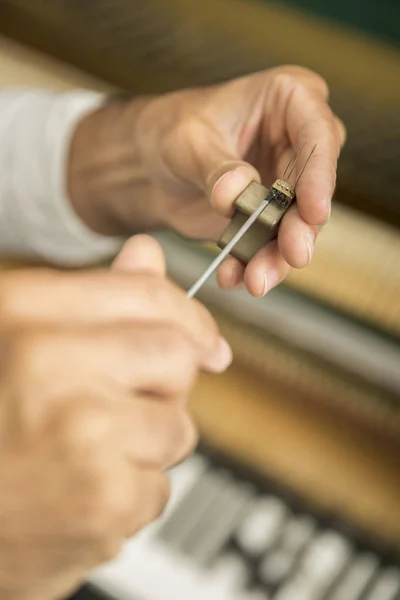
(228,534)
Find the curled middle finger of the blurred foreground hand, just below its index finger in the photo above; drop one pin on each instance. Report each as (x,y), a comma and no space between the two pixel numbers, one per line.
(111,364)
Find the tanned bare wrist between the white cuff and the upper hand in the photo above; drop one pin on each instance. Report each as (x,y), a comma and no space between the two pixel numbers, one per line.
(108,184)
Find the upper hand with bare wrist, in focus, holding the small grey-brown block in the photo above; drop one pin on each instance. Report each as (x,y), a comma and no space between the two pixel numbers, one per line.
(180,160)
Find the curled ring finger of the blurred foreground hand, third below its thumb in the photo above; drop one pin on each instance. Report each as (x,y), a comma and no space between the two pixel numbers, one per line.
(150,432)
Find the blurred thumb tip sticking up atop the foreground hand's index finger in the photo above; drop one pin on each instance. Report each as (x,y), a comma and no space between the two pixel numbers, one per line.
(141,253)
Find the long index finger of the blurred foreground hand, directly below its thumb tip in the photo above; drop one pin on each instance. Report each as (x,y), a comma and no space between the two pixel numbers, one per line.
(104,297)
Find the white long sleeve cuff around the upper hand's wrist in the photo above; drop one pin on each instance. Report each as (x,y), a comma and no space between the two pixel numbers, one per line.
(37,221)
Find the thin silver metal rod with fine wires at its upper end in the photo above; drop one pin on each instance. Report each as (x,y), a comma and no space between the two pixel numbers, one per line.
(281,194)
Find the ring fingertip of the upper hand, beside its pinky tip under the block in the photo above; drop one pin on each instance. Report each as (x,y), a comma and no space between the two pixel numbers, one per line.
(265,271)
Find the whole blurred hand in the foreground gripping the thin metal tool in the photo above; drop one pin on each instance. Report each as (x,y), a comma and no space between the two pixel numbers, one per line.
(96,368)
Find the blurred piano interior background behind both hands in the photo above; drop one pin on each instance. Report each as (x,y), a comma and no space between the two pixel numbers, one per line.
(295,490)
